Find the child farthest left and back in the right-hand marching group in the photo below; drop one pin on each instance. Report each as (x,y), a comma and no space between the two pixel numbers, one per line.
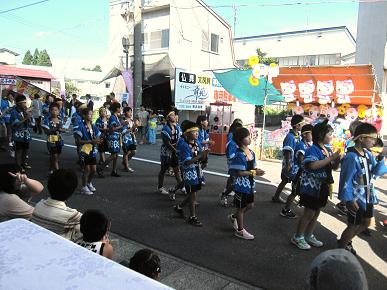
(289,145)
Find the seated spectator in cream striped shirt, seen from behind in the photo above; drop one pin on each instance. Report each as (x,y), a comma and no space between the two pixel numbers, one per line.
(52,213)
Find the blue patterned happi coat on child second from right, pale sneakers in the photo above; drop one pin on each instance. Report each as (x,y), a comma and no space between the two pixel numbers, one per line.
(311,180)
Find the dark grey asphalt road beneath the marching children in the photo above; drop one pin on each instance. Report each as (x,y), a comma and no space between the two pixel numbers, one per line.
(139,213)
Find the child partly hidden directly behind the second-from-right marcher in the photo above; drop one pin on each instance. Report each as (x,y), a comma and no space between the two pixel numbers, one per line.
(301,147)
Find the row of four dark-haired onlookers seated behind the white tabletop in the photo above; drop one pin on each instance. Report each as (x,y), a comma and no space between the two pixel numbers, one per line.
(89,230)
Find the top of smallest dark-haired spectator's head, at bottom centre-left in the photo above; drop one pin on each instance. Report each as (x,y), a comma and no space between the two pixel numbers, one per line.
(146,262)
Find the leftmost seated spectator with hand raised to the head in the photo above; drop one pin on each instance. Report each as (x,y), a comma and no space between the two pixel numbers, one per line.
(14,187)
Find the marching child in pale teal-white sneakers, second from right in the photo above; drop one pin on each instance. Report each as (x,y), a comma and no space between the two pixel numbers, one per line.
(316,184)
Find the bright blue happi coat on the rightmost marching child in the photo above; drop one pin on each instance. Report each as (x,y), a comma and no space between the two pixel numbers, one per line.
(356,176)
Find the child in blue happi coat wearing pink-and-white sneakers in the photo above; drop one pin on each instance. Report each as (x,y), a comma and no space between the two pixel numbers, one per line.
(243,168)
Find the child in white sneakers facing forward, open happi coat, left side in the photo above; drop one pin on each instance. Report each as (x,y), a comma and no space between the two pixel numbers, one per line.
(88,139)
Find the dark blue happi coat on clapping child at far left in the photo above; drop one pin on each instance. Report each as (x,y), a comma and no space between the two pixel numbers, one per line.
(20,132)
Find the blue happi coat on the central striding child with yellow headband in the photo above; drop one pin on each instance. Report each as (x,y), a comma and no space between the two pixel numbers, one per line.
(192,174)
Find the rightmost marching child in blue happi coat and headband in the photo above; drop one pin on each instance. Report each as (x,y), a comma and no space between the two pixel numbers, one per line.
(358,169)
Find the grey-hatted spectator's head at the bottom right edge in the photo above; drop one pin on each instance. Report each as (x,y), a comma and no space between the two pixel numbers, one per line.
(336,269)
